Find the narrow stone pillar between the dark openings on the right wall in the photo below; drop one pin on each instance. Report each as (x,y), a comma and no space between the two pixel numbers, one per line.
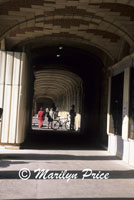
(125,123)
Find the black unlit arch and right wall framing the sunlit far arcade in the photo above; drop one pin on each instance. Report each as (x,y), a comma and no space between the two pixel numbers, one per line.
(87,66)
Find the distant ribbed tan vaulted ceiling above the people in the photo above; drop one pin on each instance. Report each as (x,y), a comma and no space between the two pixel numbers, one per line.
(53,84)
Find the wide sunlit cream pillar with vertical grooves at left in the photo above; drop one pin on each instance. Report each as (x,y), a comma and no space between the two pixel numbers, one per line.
(13,96)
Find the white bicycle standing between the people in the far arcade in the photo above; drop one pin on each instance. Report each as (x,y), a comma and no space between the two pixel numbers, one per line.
(63,123)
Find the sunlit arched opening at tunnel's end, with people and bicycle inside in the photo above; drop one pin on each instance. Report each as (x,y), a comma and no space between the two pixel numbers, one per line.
(56,91)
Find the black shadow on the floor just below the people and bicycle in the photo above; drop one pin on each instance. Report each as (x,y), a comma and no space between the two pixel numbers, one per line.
(55,140)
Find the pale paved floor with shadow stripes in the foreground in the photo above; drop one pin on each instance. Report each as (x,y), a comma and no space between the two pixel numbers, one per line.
(119,185)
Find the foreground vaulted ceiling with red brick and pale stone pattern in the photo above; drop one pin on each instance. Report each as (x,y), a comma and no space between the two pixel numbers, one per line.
(104,27)
